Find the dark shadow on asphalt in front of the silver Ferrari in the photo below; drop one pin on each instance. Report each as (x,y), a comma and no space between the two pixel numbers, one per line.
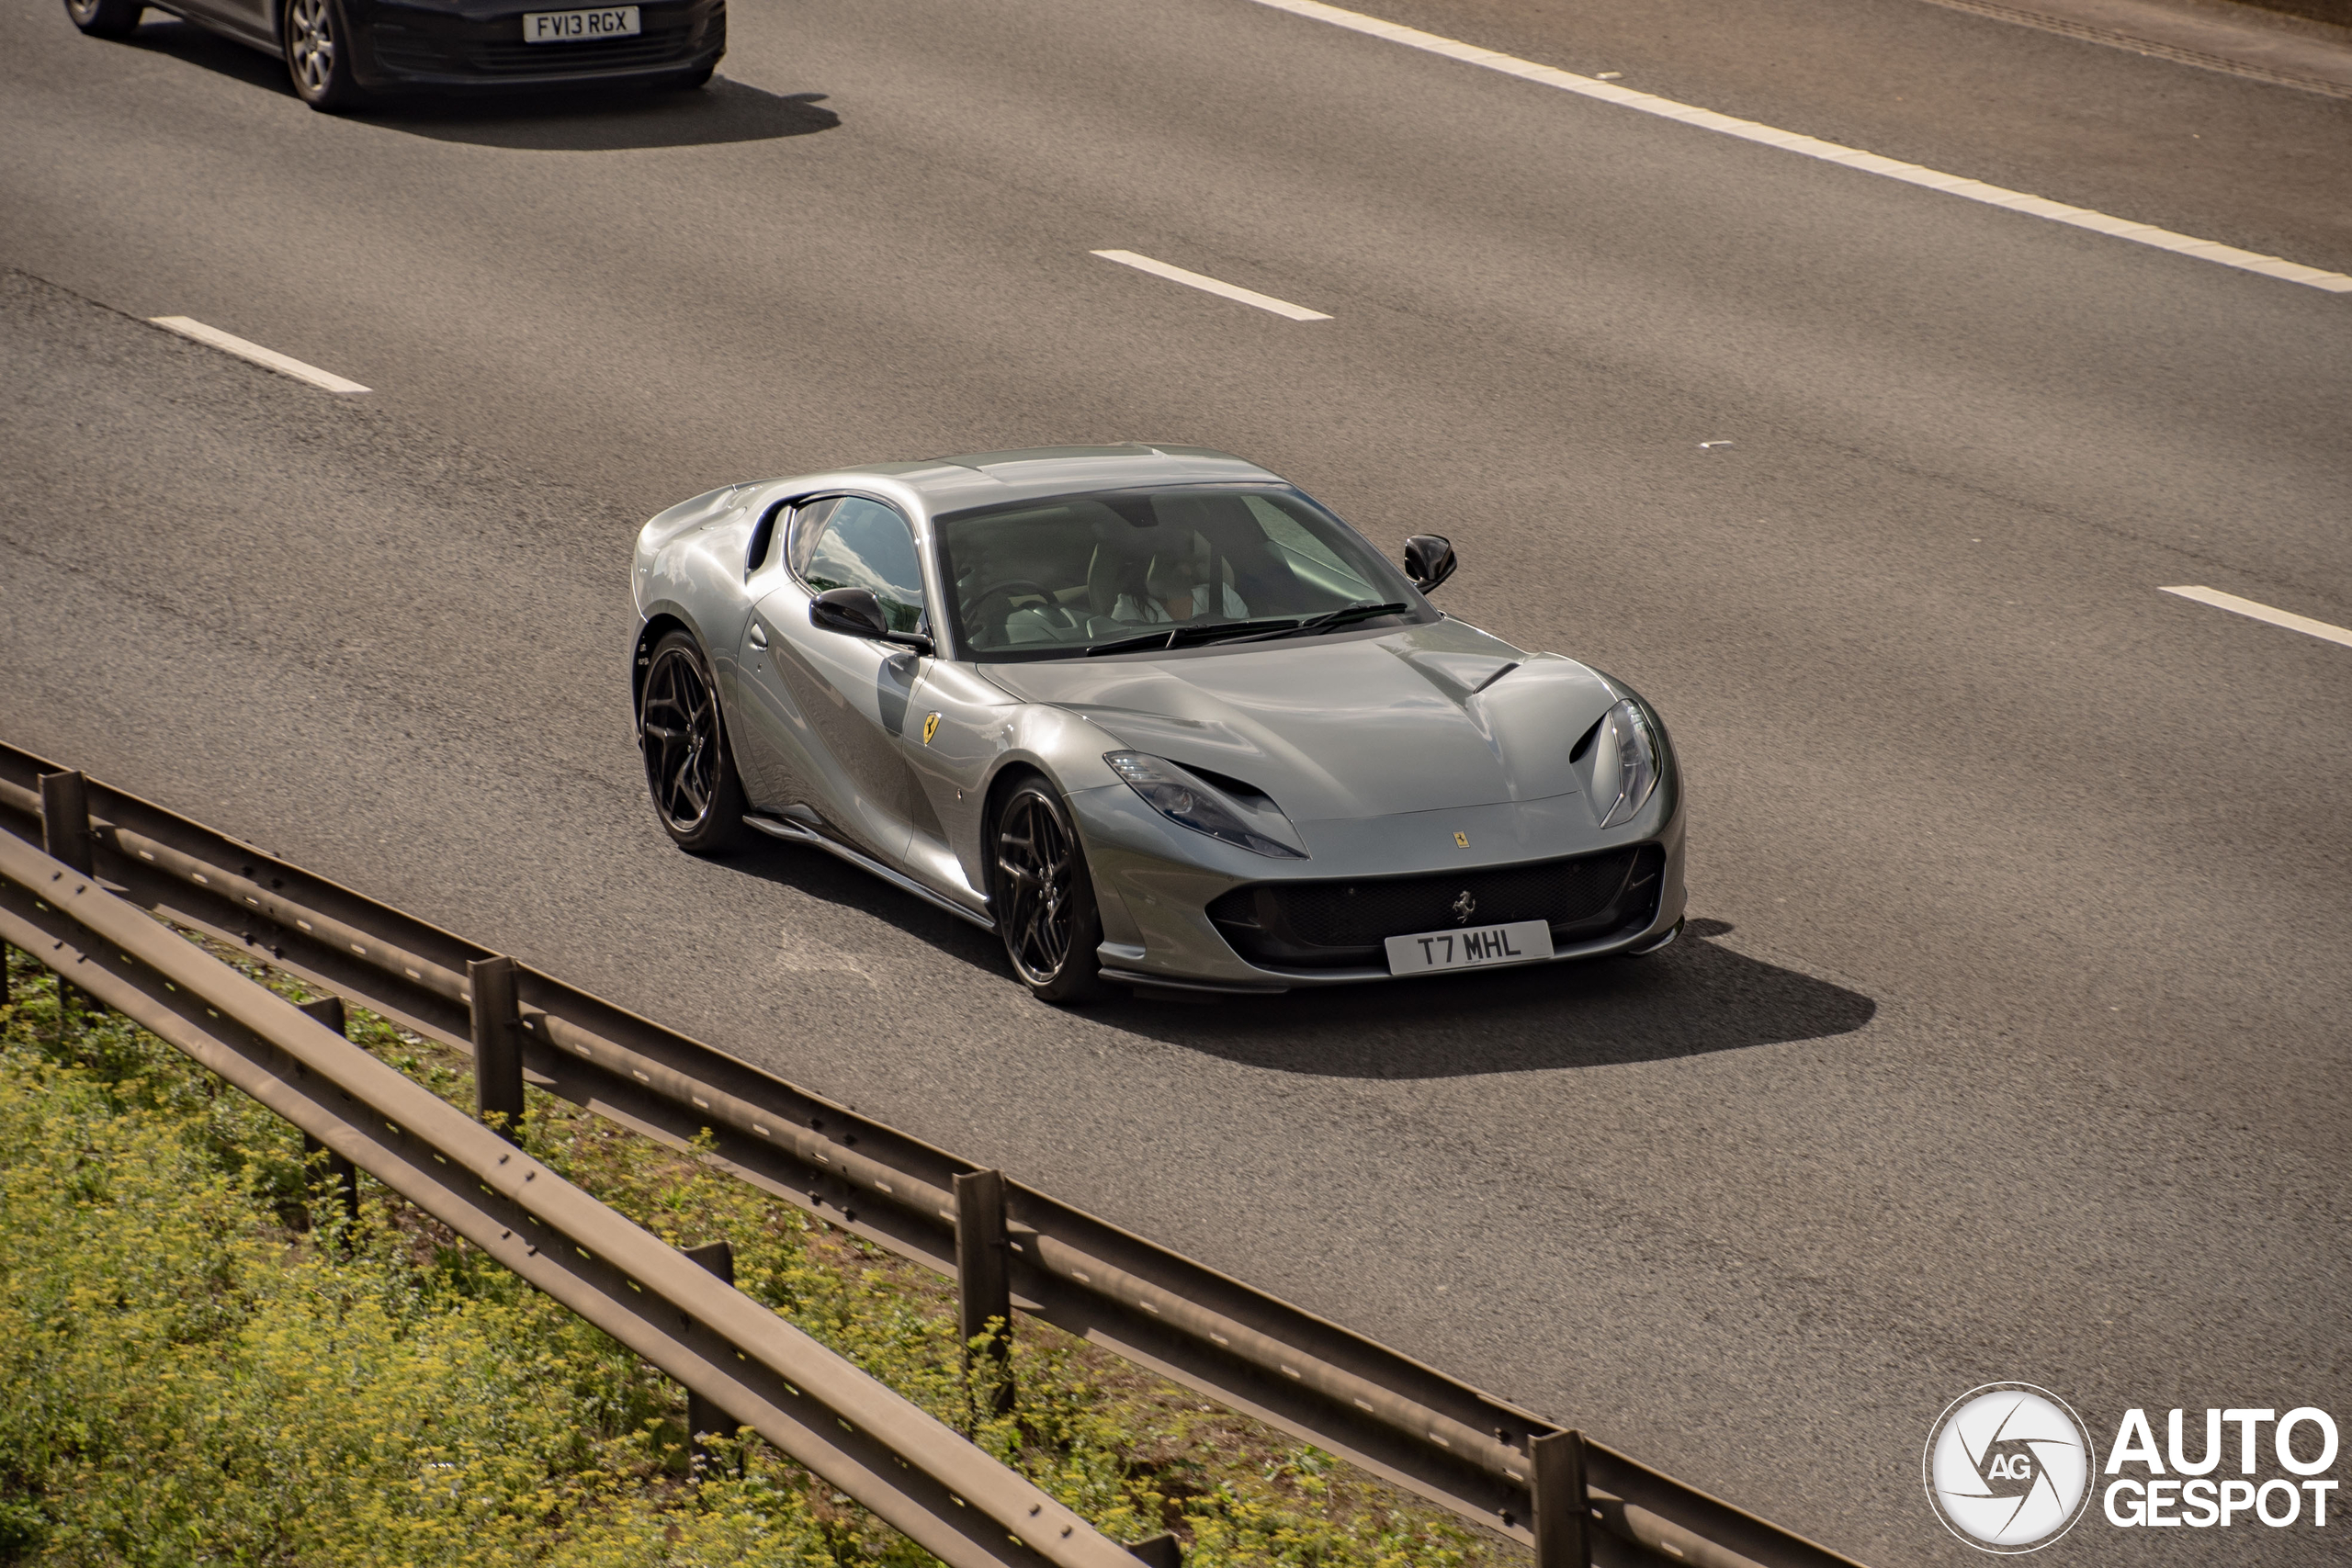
(1690,1000)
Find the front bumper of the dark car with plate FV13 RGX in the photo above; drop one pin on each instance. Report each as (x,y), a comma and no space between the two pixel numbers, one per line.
(481,46)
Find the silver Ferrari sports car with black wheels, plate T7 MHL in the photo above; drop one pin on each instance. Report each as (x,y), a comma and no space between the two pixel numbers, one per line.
(1151,716)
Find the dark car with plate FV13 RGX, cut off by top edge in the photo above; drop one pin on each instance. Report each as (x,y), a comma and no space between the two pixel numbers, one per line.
(345,51)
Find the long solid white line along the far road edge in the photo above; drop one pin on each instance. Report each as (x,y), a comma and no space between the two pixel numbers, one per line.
(1829,152)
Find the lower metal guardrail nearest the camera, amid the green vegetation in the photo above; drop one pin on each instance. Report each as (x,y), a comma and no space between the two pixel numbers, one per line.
(911,1470)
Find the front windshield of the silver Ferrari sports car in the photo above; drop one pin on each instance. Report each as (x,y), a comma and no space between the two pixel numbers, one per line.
(1057,579)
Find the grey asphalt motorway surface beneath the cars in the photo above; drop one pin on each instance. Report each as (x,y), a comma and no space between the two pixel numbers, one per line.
(2010,1043)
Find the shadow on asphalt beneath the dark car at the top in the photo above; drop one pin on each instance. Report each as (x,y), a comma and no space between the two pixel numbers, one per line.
(608,121)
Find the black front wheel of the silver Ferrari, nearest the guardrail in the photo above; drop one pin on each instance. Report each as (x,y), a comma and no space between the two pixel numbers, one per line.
(1045,897)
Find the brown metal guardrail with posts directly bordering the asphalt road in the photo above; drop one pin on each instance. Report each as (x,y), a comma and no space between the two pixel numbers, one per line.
(1572,1499)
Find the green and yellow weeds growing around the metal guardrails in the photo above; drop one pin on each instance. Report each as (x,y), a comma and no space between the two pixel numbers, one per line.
(192,1374)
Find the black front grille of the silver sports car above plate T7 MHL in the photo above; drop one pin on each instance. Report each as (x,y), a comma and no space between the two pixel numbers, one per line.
(1344,925)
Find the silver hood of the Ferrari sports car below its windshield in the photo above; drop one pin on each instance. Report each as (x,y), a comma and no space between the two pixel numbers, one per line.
(1347,728)
